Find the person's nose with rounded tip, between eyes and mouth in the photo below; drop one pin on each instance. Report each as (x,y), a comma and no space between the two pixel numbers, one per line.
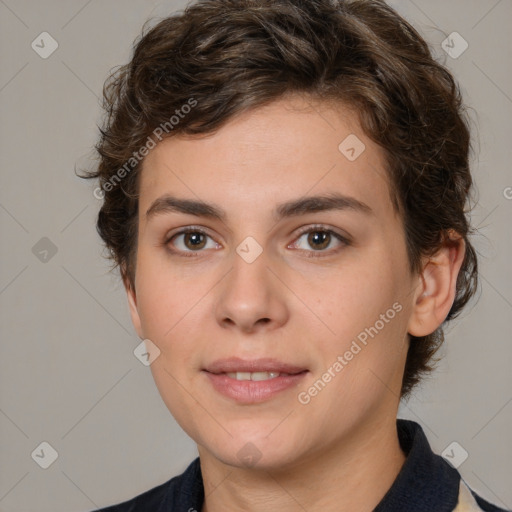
(251,298)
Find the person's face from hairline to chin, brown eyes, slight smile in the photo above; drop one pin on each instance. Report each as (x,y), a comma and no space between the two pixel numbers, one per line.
(318,293)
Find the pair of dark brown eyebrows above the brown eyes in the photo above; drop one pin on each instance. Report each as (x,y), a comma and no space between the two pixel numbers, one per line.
(296,207)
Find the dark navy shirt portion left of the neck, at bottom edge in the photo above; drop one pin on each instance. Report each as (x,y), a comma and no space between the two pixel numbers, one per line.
(182,492)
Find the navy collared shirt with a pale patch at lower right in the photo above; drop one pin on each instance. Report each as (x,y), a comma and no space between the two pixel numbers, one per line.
(426,483)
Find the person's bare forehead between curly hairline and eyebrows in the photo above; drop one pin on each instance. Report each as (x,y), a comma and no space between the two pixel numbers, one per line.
(290,148)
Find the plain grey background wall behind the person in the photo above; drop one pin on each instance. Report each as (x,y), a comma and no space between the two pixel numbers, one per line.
(68,374)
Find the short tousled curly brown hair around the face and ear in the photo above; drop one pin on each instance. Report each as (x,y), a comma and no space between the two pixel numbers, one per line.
(219,58)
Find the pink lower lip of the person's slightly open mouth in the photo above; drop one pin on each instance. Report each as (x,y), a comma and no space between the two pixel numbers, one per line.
(253,391)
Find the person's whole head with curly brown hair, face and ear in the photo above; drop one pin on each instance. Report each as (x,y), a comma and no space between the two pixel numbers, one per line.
(250,104)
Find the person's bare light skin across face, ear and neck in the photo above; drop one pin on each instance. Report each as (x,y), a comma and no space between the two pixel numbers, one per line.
(340,451)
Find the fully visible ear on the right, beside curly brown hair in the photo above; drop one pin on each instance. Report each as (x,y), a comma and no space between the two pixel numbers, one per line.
(436,291)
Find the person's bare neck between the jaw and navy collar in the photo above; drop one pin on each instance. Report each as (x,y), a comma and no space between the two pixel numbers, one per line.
(353,474)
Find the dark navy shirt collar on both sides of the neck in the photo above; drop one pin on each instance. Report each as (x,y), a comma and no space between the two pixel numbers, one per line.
(425,483)
